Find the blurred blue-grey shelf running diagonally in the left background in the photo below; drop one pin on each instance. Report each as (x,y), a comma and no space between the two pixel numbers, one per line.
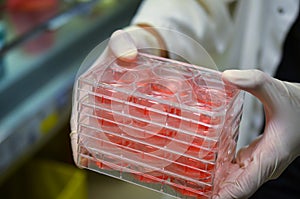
(36,89)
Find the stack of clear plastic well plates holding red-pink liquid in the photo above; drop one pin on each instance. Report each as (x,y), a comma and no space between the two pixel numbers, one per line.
(159,123)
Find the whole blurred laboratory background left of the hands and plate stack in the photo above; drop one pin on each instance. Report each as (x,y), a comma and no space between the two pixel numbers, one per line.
(42,44)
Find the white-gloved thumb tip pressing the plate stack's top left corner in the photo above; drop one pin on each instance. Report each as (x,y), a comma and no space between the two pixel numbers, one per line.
(122,46)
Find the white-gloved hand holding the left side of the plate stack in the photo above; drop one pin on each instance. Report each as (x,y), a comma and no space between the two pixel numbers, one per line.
(124,45)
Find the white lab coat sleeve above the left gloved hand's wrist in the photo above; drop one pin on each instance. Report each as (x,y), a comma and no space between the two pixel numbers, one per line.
(207,22)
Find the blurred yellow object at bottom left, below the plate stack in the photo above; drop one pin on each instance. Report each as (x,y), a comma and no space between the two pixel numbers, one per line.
(57,180)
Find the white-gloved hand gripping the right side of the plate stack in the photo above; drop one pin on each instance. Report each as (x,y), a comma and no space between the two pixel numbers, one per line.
(269,155)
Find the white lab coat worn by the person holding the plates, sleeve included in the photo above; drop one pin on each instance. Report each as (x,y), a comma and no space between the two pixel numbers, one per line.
(249,36)
